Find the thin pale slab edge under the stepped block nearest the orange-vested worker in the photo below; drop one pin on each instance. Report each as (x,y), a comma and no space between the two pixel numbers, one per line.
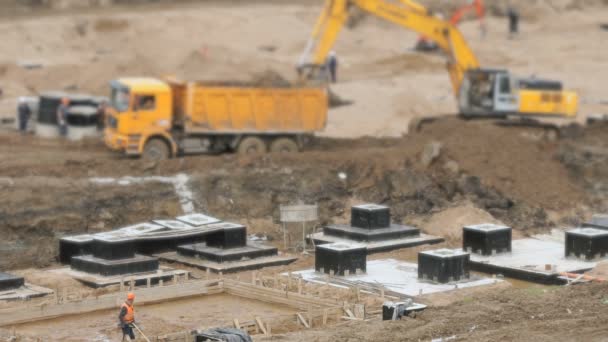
(96,281)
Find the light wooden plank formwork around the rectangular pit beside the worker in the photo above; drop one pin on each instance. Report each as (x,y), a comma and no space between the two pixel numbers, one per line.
(312,311)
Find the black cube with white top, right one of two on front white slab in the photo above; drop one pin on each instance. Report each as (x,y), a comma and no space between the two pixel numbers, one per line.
(443,265)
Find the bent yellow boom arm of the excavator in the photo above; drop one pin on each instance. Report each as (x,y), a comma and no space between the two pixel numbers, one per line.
(407,14)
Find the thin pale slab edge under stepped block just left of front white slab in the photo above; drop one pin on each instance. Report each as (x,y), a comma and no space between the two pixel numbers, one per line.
(226,267)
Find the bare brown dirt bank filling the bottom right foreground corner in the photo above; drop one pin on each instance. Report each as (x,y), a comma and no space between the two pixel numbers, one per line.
(575,313)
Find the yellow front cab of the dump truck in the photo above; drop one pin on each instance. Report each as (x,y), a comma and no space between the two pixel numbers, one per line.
(141,110)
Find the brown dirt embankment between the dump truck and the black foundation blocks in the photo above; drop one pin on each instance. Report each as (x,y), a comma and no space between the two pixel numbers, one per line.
(498,173)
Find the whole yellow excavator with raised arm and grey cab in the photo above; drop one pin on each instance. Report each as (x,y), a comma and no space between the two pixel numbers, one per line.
(479,92)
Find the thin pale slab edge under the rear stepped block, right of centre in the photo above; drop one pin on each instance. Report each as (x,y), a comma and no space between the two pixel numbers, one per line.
(379,246)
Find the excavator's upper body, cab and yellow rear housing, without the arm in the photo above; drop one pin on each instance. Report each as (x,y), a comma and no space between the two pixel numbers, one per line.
(495,92)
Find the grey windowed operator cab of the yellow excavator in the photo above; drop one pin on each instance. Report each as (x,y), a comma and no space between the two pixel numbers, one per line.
(488,92)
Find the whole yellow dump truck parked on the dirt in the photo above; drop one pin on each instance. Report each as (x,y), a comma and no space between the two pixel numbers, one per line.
(158,119)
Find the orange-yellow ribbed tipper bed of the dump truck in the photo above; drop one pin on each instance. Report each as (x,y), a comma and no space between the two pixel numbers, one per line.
(235,108)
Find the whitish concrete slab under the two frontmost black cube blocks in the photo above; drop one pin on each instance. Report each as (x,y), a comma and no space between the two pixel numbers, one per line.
(398,276)
